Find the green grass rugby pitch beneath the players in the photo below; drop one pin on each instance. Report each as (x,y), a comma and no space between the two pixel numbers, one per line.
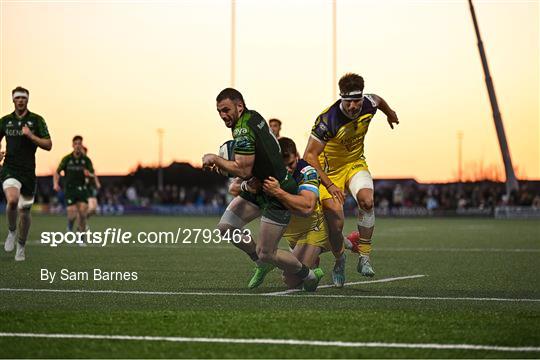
(480,286)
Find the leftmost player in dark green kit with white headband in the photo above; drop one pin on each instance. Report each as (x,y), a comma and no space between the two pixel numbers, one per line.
(24,132)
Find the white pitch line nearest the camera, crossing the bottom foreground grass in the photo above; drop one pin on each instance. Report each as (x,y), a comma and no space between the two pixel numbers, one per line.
(279,342)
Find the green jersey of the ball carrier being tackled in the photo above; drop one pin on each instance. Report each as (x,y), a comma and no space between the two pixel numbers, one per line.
(253,137)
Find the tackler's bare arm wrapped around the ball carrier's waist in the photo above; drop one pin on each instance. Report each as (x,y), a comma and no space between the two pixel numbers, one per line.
(303,204)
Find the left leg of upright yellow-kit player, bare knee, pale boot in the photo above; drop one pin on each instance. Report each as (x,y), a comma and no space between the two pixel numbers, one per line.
(335,219)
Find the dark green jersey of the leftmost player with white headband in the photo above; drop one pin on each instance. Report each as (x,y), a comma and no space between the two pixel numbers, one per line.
(20,150)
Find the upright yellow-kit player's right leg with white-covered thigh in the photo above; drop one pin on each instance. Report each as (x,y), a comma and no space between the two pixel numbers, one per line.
(361,185)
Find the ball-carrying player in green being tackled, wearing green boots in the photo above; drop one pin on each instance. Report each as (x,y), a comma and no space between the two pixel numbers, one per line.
(257,155)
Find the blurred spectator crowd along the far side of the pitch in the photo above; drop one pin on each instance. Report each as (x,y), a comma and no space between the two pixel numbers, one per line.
(389,194)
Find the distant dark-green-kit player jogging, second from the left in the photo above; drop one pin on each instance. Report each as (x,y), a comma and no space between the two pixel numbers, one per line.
(76,167)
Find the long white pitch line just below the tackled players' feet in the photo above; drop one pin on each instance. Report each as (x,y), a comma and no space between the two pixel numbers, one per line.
(179,293)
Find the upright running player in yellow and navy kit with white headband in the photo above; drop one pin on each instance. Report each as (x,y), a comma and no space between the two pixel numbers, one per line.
(336,150)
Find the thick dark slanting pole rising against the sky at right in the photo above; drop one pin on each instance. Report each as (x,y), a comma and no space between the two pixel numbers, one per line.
(511,181)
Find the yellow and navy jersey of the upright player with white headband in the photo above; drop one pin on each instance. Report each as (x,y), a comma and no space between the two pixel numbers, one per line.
(344,137)
